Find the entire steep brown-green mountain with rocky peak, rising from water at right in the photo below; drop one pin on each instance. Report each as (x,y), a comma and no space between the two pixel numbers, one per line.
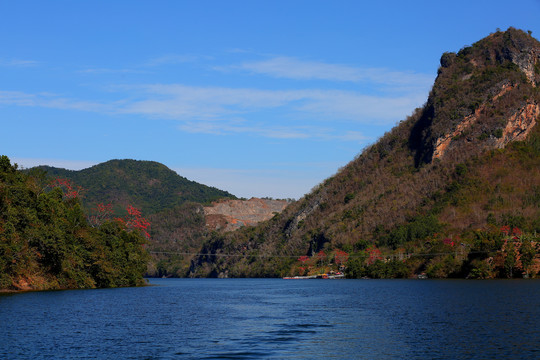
(451,191)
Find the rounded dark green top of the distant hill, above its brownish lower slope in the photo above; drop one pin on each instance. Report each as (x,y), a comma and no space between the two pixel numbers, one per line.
(148,185)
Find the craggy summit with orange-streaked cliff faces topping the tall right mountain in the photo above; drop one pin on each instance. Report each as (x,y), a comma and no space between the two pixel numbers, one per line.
(485,97)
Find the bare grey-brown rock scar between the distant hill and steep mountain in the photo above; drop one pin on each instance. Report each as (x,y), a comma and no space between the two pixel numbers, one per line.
(230,215)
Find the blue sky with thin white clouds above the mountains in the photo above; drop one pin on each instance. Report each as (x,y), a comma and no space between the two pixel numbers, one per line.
(260,98)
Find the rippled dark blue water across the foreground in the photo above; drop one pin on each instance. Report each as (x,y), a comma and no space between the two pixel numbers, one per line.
(277,319)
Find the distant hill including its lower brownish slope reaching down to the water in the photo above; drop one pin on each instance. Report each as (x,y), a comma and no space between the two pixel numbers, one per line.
(172,204)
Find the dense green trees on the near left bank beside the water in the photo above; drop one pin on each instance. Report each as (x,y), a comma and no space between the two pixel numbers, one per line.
(47,242)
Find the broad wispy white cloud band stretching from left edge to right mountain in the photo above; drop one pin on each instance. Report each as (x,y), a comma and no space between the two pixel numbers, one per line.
(220,110)
